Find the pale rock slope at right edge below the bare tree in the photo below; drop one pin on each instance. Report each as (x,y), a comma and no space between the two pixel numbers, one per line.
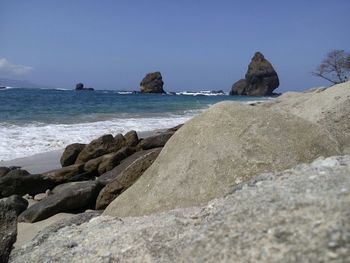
(329,108)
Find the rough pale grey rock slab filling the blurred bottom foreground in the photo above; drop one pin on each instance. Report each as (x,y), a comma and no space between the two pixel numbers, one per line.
(299,215)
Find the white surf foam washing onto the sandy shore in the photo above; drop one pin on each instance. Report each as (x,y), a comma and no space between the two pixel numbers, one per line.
(21,141)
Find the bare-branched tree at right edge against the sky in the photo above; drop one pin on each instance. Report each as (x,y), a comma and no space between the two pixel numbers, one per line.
(335,67)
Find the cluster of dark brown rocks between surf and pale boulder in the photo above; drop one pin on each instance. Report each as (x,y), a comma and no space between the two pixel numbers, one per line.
(92,176)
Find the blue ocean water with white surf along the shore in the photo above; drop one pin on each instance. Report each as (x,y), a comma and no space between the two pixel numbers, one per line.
(38,120)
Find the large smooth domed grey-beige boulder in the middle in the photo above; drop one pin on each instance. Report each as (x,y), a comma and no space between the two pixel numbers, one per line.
(222,147)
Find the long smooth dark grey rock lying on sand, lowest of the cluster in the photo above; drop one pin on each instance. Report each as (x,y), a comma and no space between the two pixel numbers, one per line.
(80,195)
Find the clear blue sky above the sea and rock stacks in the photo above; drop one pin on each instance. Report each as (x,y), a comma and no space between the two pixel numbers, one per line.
(197,45)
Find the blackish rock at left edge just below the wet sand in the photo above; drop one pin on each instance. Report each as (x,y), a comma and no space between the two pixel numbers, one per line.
(20,182)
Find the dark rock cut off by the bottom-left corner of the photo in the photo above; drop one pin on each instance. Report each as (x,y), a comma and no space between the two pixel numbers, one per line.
(9,209)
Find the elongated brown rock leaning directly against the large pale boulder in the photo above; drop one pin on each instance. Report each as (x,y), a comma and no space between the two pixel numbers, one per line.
(126,178)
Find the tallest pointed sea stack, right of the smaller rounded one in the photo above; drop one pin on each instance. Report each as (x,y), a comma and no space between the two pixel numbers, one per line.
(261,79)
